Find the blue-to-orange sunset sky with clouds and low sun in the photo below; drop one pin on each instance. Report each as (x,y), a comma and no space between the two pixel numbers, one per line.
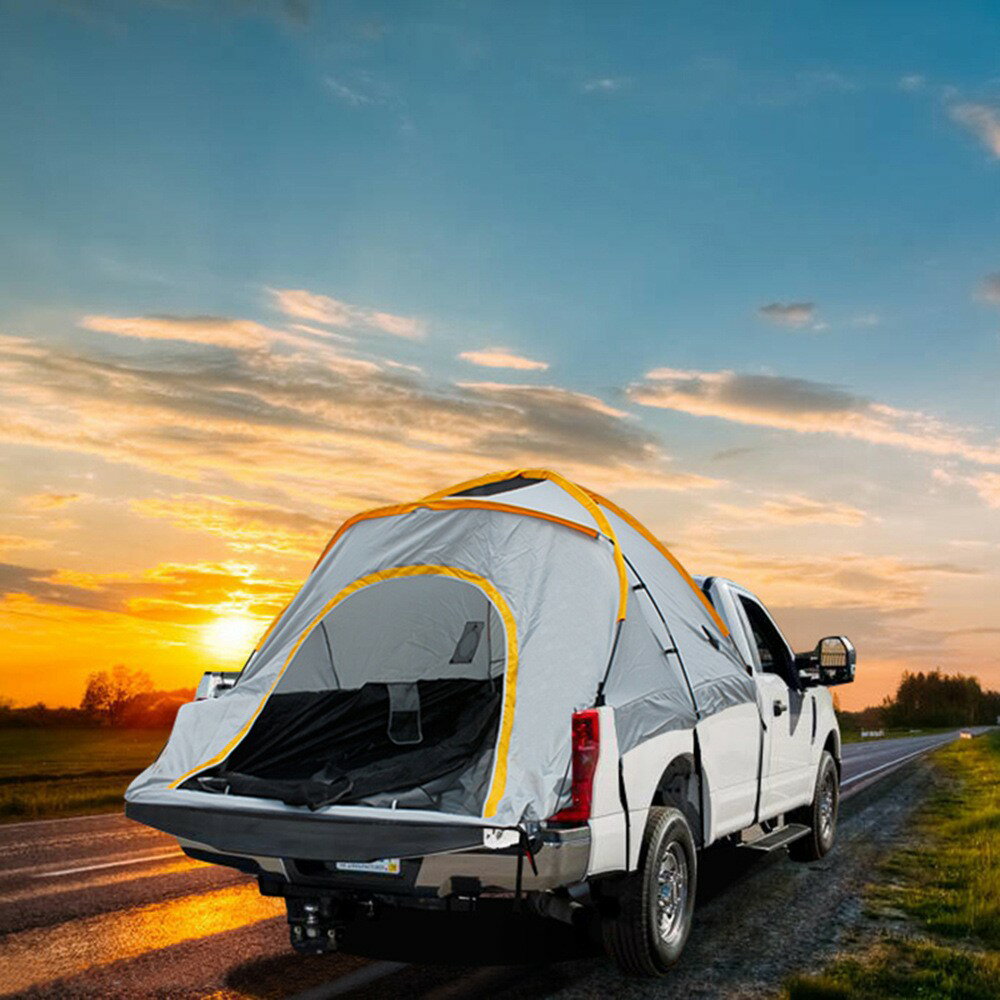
(267,264)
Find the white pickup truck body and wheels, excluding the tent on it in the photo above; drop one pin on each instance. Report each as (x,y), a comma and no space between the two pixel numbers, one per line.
(782,762)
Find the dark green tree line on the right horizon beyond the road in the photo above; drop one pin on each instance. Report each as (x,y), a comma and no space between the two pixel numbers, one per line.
(931,699)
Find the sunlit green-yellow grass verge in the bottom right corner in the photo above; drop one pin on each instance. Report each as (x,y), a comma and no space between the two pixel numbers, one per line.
(939,896)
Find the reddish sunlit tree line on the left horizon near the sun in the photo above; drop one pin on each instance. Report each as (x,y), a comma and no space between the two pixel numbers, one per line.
(119,697)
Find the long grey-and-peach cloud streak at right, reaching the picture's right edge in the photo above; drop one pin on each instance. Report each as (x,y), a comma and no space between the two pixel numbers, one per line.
(807,408)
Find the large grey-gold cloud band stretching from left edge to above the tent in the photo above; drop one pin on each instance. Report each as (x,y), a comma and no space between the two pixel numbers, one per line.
(306,421)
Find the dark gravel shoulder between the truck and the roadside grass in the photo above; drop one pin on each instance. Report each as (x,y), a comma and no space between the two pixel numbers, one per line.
(760,919)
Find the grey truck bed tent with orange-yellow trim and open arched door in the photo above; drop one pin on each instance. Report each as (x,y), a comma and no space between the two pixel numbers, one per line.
(436,653)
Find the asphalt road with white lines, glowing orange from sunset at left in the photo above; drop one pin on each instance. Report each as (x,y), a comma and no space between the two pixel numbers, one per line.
(100,906)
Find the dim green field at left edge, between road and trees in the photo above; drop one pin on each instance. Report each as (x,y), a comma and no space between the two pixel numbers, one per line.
(47,772)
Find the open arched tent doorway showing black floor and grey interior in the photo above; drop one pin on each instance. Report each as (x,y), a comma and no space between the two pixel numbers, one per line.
(393,698)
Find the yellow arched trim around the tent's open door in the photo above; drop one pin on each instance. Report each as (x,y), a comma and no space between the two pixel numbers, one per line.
(499,780)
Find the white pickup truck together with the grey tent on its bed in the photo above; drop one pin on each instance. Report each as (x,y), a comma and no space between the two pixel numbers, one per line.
(508,696)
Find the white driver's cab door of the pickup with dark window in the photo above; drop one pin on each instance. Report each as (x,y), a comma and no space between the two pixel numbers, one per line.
(788,712)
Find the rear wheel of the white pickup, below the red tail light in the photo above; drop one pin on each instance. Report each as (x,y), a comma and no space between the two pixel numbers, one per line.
(647,934)
